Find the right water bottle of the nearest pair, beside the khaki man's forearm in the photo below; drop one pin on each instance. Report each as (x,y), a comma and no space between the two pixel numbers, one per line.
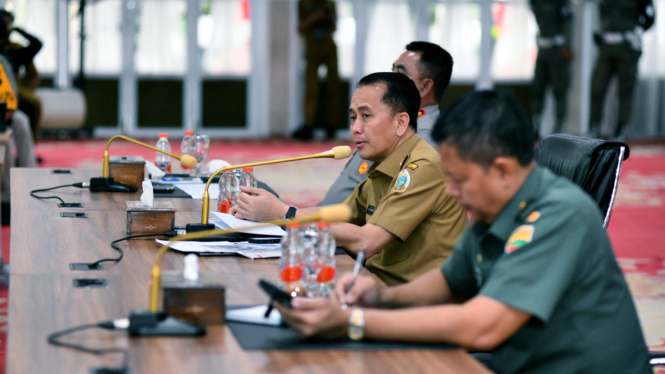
(325,250)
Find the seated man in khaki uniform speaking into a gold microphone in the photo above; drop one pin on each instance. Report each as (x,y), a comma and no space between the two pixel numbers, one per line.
(402,217)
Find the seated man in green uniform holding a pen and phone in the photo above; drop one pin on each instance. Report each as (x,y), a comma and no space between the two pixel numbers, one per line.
(533,278)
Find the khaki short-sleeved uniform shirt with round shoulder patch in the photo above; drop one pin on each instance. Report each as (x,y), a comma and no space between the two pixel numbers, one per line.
(405,195)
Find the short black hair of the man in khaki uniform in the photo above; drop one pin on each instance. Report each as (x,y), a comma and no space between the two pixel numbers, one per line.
(401,94)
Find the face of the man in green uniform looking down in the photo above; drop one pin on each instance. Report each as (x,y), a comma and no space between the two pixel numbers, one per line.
(477,189)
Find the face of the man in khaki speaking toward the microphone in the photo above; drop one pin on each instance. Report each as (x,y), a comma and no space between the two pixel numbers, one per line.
(373,128)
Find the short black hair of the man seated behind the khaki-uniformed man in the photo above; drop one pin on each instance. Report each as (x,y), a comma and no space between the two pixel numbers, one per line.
(435,63)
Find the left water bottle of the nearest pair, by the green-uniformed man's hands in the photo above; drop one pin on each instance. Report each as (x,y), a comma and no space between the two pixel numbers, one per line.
(290,262)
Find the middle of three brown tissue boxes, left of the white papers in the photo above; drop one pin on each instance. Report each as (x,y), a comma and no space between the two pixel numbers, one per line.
(143,219)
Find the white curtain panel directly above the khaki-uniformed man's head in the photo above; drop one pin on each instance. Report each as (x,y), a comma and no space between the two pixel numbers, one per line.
(390,30)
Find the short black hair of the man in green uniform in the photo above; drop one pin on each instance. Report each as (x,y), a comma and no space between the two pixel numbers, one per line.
(484,125)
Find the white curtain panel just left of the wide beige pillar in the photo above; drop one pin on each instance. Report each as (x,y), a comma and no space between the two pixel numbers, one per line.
(226,37)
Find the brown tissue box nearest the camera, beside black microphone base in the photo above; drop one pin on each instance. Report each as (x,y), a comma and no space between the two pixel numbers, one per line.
(201,301)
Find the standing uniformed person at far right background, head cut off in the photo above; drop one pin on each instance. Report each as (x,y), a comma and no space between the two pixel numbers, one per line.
(619,43)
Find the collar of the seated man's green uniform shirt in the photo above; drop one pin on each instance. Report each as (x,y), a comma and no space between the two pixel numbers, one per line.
(504,224)
